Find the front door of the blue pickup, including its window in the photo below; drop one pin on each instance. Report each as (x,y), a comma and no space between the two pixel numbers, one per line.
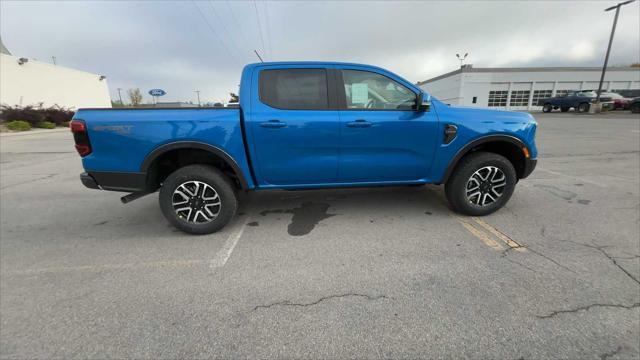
(383,138)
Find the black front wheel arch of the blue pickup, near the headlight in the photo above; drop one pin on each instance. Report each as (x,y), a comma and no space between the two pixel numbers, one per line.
(508,146)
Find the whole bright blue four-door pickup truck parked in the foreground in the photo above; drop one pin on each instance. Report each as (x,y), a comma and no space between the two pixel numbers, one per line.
(303,125)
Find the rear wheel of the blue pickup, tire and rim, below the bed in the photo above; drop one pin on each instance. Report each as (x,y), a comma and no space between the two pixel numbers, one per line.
(198,199)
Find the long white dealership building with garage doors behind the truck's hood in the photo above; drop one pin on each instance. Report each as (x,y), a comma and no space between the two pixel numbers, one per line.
(520,88)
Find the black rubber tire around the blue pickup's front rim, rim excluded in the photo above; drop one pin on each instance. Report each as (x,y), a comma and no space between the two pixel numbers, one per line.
(456,186)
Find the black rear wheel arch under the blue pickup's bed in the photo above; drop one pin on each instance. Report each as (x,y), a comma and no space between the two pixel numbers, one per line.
(164,160)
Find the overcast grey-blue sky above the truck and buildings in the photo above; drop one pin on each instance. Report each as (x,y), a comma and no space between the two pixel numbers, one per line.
(169,45)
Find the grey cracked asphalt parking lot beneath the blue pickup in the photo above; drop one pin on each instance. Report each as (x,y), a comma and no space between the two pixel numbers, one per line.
(358,273)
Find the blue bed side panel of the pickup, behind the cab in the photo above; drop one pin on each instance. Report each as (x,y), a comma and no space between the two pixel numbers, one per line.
(121,139)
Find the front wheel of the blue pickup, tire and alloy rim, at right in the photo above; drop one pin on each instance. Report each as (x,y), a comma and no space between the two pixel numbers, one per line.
(481,184)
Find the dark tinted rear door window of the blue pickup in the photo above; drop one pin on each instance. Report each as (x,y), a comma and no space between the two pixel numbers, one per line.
(294,89)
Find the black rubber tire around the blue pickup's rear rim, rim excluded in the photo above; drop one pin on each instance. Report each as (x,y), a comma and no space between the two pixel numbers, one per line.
(210,176)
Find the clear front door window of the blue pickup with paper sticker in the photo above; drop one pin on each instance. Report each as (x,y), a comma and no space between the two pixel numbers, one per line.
(368,90)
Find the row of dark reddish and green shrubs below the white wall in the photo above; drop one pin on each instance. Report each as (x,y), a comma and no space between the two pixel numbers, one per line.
(37,116)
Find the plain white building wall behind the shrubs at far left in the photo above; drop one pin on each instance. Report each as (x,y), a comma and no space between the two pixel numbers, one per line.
(36,82)
